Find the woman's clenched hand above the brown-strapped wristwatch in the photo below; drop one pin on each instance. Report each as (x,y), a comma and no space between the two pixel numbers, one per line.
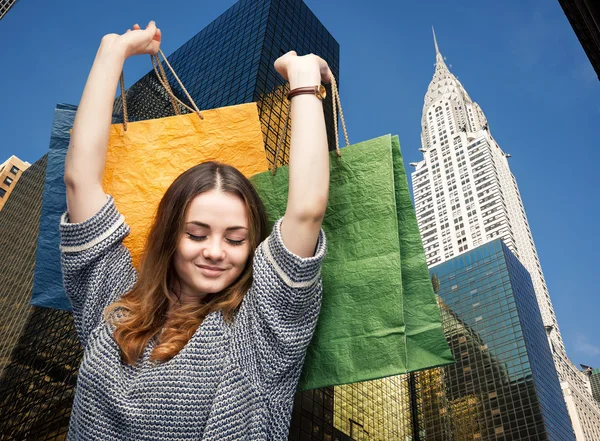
(305,70)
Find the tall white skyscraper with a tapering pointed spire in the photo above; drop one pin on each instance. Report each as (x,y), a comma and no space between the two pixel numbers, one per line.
(465,196)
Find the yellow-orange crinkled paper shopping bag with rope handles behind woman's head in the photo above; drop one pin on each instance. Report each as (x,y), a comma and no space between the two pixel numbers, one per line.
(145,157)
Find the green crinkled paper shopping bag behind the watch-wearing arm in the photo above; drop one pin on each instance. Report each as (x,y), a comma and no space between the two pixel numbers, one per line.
(379,314)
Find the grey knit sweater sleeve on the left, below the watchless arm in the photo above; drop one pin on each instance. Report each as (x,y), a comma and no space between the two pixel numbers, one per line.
(96,267)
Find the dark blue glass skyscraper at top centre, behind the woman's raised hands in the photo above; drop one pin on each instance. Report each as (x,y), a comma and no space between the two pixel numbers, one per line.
(231,62)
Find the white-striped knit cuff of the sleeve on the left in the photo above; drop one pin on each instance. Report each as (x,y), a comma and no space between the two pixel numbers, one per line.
(77,237)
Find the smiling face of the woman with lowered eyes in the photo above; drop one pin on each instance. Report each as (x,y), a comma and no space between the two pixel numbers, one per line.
(213,247)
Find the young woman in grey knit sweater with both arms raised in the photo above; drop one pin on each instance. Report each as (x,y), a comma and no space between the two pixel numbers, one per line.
(207,342)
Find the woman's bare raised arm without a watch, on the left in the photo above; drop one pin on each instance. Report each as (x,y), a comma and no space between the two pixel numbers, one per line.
(84,164)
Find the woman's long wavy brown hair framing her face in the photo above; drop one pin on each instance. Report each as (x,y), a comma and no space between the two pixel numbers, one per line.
(143,313)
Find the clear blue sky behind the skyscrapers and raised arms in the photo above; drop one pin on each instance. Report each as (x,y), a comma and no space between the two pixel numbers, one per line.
(519,59)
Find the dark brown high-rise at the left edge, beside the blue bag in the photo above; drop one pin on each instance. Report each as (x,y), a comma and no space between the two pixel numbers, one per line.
(38,346)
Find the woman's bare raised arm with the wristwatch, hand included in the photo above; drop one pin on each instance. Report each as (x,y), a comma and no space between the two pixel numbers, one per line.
(309,156)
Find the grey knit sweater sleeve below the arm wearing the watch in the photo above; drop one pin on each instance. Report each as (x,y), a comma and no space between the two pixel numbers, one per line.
(278,316)
